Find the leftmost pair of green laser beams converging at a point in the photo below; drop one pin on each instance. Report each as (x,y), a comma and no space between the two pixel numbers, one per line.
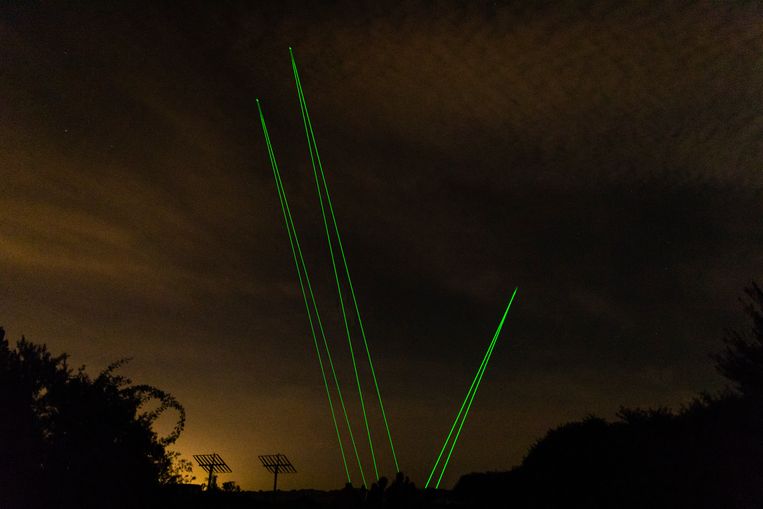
(298,253)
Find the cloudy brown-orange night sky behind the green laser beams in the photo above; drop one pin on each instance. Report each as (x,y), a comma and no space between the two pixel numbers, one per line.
(604,157)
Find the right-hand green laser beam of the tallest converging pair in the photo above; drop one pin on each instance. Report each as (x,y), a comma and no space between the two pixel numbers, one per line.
(313,145)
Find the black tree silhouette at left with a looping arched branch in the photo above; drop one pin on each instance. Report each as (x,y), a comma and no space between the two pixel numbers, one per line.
(68,440)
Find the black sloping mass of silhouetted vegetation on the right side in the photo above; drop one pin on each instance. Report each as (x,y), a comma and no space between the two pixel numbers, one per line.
(708,454)
